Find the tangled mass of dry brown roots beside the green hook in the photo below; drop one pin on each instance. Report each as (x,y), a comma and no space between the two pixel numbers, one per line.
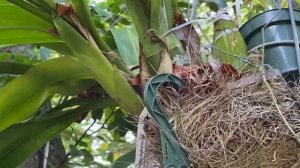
(229,127)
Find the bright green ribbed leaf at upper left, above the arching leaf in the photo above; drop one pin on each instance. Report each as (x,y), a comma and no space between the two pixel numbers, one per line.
(18,26)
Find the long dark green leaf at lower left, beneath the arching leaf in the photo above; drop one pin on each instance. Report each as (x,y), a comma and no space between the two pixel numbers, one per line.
(21,140)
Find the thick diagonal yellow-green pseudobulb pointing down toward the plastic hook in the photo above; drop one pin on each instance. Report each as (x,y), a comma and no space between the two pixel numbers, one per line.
(109,77)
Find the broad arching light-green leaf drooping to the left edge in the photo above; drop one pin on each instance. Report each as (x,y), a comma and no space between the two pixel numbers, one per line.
(62,75)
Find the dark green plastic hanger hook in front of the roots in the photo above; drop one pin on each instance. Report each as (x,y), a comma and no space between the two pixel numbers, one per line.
(173,155)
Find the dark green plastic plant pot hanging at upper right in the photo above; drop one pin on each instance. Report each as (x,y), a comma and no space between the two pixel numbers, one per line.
(279,42)
